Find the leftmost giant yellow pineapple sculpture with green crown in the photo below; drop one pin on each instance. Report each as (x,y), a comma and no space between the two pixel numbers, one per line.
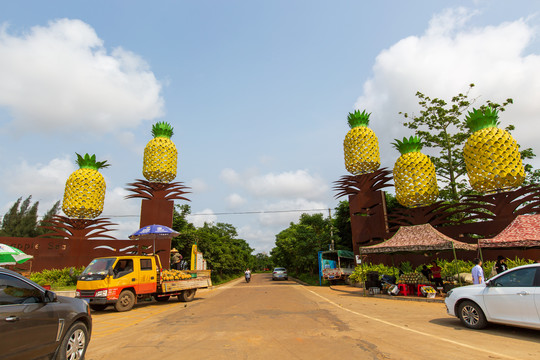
(84,192)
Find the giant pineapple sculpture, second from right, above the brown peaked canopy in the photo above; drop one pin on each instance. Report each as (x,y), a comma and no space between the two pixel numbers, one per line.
(414,175)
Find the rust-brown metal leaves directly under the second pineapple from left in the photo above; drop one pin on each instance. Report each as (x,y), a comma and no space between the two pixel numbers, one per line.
(149,190)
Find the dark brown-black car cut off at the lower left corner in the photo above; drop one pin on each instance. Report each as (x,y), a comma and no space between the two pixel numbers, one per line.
(37,324)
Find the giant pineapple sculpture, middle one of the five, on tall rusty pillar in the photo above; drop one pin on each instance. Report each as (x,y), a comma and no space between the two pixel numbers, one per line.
(361,146)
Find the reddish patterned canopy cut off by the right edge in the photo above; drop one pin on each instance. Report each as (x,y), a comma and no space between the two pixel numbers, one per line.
(523,232)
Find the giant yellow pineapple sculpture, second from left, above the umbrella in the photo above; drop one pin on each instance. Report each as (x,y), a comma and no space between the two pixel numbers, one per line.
(160,155)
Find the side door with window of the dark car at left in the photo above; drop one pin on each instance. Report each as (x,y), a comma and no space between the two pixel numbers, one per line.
(28,325)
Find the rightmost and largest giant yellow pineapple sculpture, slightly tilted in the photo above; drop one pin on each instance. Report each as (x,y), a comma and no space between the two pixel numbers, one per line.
(491,154)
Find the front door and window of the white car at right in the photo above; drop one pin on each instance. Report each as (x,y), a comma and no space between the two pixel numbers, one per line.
(510,298)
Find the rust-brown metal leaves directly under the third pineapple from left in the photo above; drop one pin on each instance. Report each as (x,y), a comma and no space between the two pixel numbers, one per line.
(354,184)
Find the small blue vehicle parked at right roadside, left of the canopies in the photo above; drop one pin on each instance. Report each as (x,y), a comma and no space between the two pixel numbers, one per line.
(336,265)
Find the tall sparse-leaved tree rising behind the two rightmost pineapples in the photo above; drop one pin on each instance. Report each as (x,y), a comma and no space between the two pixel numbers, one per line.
(441,126)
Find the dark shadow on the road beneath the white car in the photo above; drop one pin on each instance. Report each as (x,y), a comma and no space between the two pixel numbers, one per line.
(492,329)
